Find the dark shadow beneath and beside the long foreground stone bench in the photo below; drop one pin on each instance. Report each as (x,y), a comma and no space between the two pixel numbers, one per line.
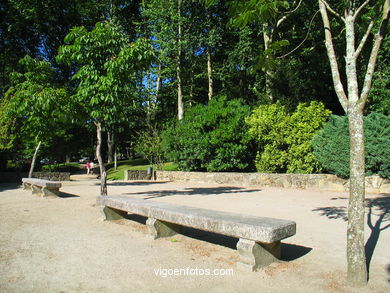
(290,252)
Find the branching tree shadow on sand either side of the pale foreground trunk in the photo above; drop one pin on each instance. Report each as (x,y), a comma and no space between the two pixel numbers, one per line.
(379,207)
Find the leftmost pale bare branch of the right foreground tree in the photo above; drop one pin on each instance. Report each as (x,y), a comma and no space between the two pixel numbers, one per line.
(339,88)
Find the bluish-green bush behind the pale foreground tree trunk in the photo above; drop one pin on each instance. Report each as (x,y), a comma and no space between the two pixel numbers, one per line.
(331,145)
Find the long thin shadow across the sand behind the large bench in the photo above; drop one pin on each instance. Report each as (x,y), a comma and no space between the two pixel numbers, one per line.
(195,191)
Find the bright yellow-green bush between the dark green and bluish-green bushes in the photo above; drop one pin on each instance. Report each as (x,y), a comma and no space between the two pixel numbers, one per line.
(284,139)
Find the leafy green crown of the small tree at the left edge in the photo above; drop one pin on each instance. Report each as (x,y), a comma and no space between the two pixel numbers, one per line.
(34,108)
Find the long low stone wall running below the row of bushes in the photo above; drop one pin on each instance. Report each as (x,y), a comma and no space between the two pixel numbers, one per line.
(374,184)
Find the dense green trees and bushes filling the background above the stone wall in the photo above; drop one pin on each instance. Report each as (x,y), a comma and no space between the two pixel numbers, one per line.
(245,102)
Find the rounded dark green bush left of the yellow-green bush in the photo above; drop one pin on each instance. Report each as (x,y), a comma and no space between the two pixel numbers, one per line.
(211,138)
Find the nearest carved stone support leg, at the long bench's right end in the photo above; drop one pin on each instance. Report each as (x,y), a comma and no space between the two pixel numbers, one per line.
(254,255)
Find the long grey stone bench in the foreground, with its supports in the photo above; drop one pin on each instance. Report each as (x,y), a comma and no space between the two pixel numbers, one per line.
(259,238)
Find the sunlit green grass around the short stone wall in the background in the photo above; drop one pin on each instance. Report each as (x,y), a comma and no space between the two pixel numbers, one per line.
(136,164)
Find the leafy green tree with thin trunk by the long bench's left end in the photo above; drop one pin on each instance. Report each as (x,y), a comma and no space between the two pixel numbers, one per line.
(108,63)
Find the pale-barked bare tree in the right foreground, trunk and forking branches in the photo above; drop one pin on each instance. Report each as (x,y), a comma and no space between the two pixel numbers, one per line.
(353,100)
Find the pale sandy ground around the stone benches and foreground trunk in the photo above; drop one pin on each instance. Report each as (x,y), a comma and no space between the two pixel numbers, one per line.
(62,245)
